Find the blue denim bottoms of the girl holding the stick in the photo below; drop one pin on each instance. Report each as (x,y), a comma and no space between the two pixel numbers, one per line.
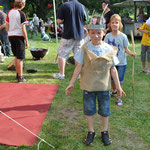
(121,72)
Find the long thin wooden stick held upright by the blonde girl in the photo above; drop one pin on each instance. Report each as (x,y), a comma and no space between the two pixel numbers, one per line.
(133,45)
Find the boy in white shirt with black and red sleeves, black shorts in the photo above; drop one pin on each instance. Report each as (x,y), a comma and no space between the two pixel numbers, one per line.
(16,27)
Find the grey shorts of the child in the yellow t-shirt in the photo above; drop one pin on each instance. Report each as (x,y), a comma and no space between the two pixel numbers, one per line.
(145,49)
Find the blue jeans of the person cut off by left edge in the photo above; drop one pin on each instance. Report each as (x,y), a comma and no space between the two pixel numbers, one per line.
(5,41)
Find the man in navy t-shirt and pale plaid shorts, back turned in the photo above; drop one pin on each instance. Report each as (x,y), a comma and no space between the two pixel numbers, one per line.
(72,15)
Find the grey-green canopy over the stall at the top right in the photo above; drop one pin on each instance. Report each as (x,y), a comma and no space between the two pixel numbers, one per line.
(132,3)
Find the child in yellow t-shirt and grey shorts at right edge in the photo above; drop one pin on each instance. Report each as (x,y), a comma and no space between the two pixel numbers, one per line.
(145,46)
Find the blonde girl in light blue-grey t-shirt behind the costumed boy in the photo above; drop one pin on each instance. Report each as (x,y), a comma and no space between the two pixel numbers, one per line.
(120,40)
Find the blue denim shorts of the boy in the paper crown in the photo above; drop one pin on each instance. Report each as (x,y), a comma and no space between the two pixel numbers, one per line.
(89,103)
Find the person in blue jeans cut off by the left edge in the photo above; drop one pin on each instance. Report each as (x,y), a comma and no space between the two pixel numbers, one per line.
(3,33)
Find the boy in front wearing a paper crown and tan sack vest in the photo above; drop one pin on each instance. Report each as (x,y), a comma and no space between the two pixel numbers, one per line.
(96,59)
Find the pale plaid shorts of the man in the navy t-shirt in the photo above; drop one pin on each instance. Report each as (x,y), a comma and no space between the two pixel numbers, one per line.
(68,45)
